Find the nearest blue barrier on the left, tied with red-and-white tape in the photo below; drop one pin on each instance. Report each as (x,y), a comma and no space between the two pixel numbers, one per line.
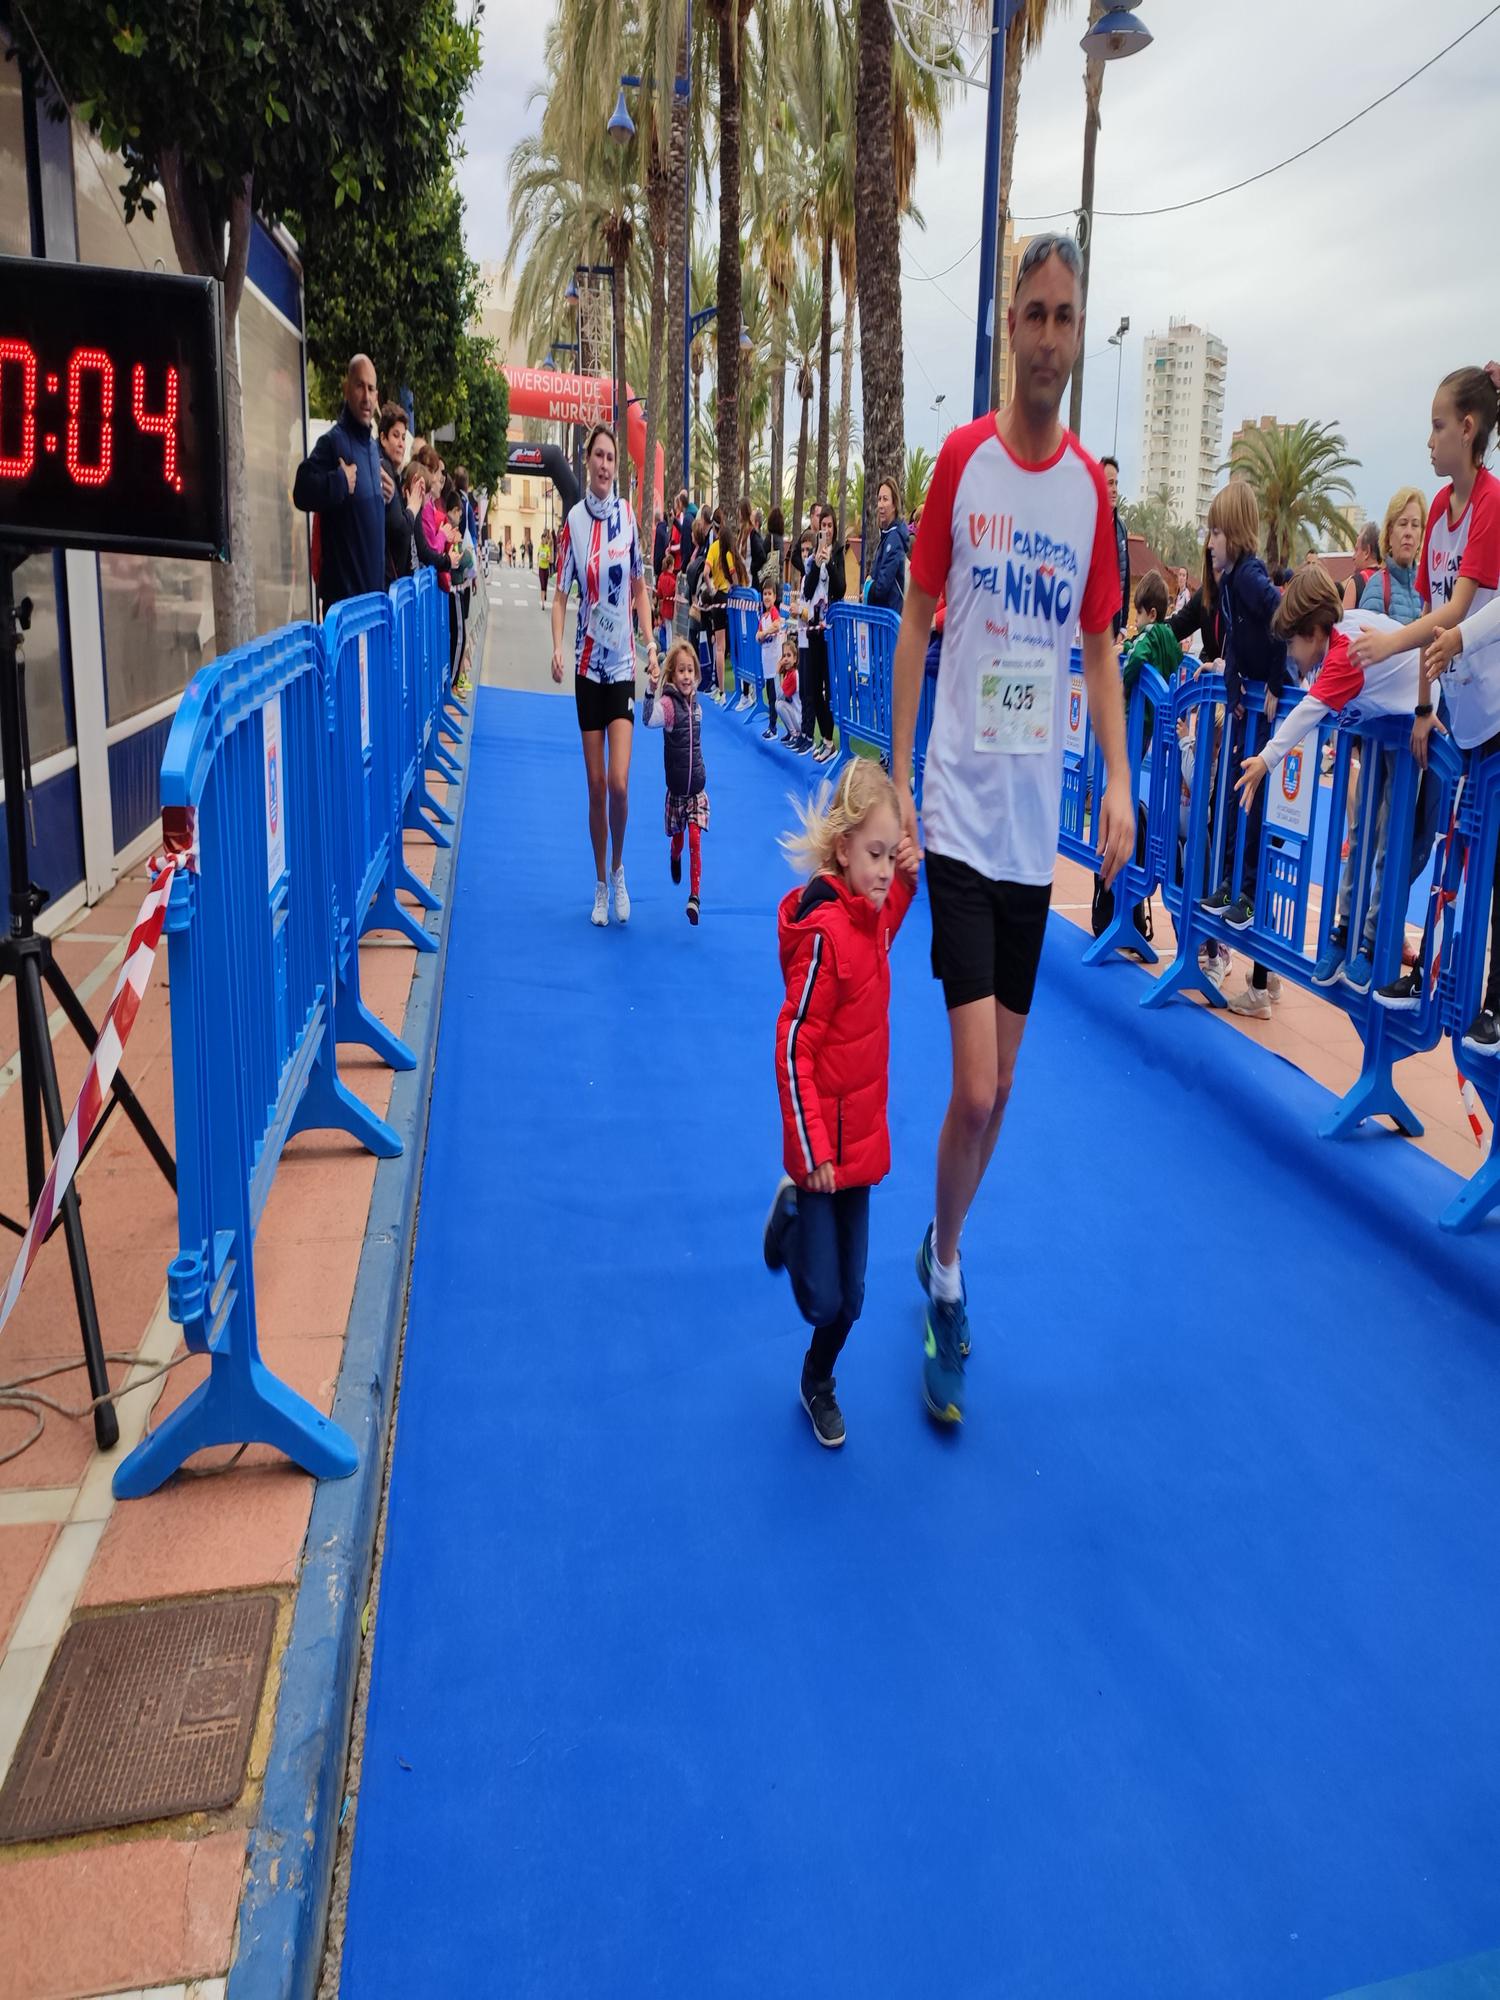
(253,965)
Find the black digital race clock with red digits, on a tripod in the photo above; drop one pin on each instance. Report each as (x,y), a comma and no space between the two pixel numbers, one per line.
(111,411)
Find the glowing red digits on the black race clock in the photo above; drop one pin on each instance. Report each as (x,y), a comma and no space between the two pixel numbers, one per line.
(89,437)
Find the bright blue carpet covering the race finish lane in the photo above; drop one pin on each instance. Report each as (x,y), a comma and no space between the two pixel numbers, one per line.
(1173,1675)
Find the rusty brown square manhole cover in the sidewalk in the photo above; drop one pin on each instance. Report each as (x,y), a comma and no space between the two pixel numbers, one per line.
(141,1715)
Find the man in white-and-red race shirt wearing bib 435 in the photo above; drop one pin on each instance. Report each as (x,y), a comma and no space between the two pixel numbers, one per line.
(1019,535)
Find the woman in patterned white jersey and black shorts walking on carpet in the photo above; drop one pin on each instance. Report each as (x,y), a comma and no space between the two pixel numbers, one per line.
(601,553)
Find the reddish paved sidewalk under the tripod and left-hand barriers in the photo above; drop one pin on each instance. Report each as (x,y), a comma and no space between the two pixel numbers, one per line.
(153,1909)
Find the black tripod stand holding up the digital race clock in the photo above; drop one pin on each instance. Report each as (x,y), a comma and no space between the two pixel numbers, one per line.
(31,965)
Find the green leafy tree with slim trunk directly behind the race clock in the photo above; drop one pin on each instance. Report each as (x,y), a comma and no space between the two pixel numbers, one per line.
(243,107)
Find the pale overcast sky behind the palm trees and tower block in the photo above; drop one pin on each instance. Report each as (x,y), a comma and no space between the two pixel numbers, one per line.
(1345,287)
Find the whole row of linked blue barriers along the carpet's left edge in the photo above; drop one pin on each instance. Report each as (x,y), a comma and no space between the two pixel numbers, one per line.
(287,781)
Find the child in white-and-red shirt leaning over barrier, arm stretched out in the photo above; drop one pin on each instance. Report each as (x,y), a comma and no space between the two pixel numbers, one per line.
(1319,633)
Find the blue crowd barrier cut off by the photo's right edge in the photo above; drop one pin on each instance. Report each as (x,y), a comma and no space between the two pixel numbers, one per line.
(1469,889)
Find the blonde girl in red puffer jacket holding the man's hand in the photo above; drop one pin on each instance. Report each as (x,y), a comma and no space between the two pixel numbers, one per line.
(833,1053)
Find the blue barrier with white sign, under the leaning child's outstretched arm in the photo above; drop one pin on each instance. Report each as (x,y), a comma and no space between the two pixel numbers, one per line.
(1279,853)
